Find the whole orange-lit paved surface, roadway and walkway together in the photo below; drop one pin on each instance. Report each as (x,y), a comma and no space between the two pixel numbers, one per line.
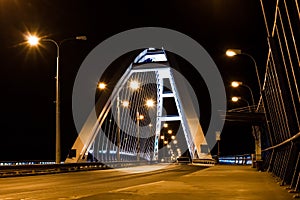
(148,182)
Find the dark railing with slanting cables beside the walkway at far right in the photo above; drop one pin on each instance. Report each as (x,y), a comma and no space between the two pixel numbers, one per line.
(281,94)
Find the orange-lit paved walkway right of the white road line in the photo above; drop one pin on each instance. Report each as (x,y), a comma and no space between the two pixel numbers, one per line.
(221,182)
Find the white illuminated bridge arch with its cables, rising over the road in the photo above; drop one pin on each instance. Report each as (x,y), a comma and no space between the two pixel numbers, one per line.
(147,117)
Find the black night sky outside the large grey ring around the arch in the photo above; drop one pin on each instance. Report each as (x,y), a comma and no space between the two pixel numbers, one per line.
(27,75)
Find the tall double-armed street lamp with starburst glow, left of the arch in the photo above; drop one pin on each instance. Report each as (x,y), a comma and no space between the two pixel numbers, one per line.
(34,41)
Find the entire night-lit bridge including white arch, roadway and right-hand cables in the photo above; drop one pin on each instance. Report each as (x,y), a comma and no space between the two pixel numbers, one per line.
(148,122)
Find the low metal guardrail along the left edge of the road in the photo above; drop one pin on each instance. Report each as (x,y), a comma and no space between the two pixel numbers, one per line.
(11,170)
